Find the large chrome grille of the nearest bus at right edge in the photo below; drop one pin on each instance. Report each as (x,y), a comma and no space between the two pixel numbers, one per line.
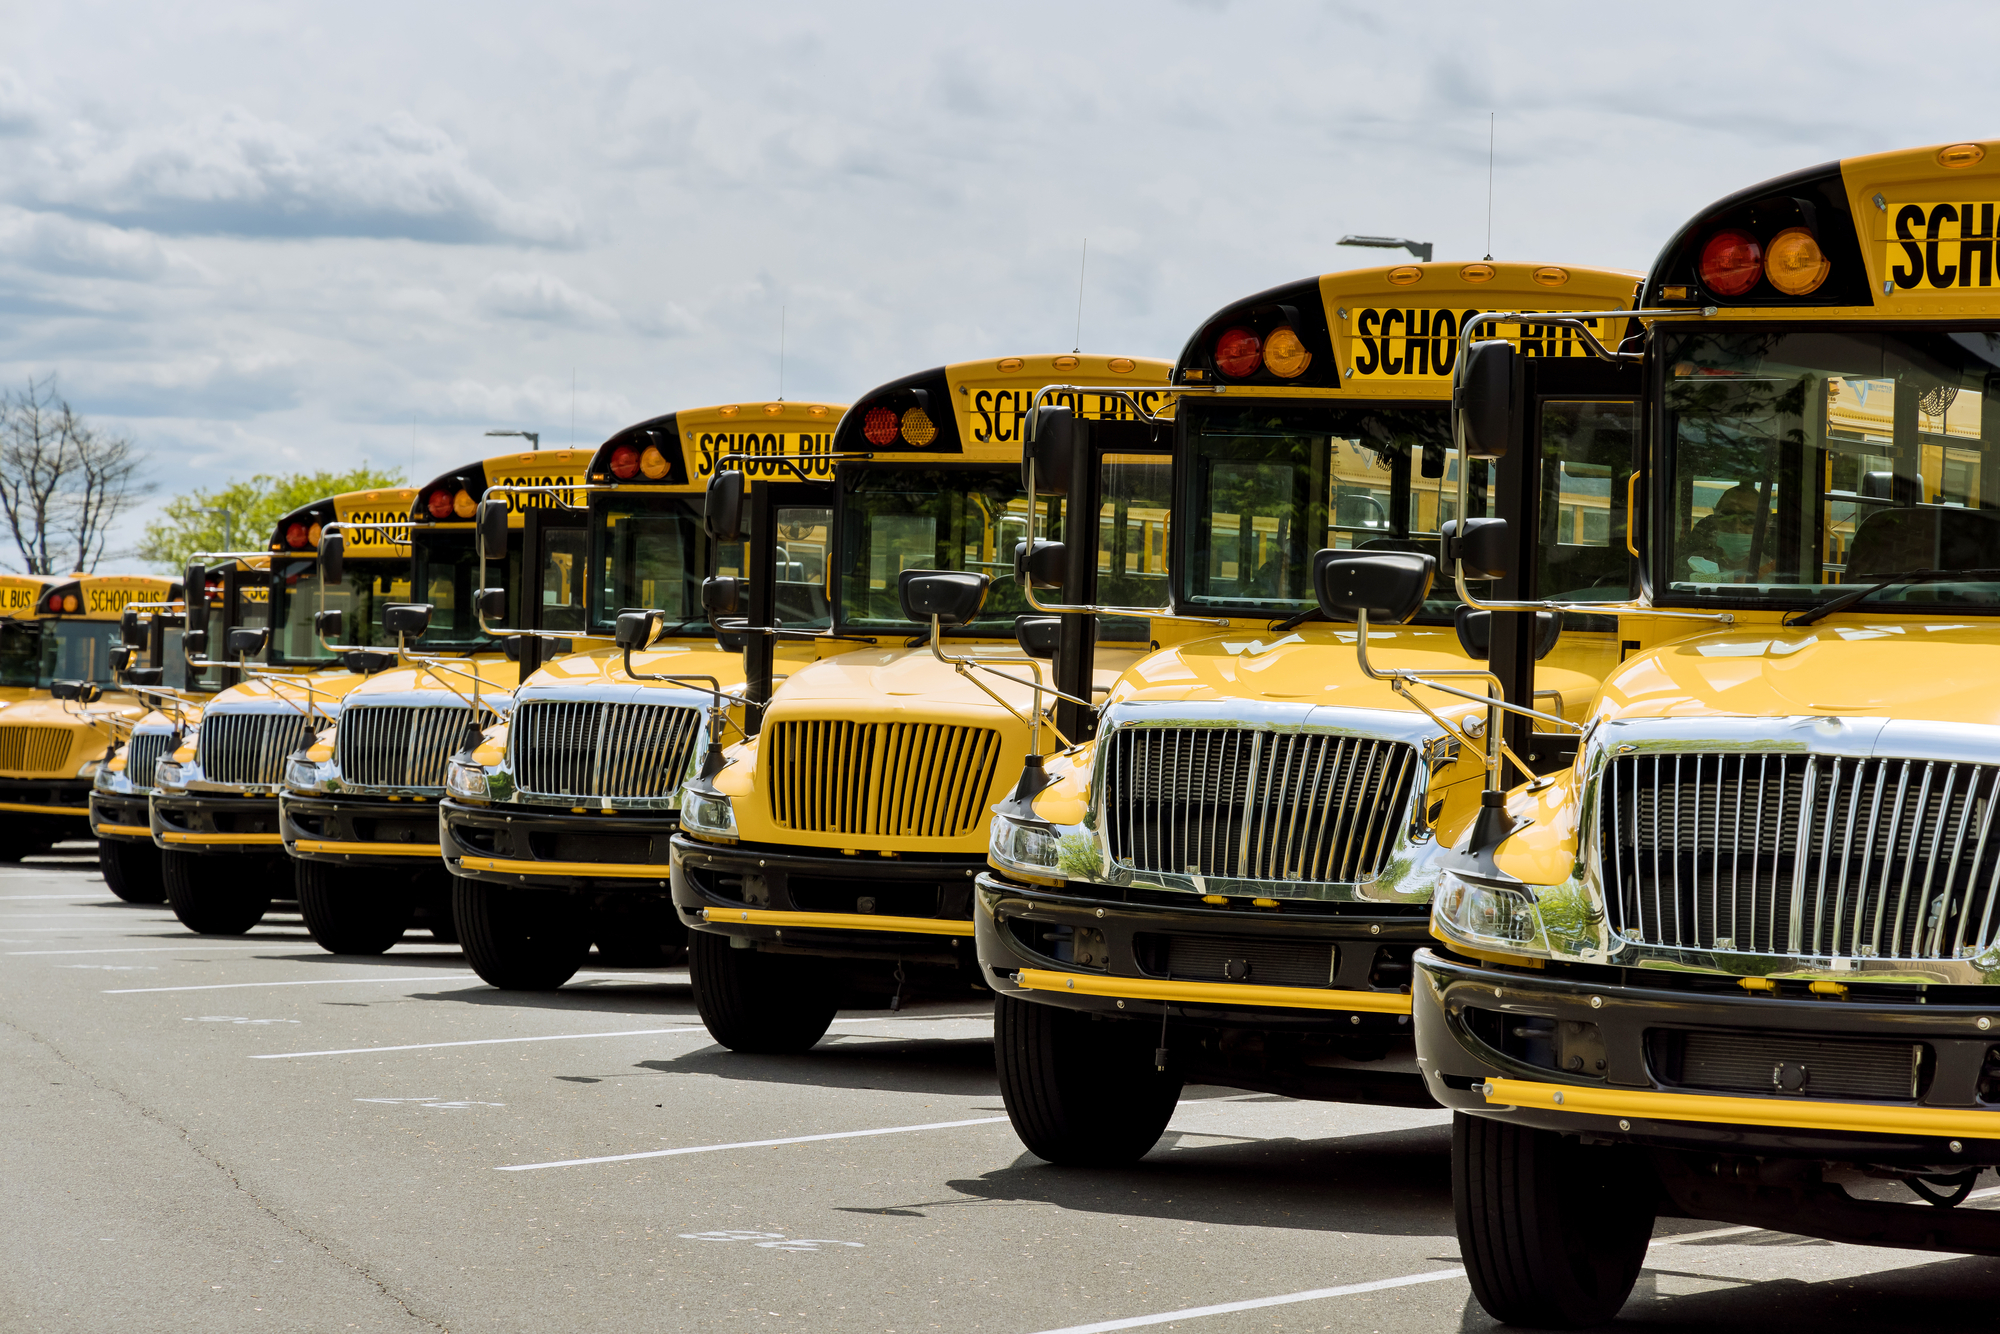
(1801,855)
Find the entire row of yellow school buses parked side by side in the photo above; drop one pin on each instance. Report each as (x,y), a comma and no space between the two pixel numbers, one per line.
(1547,693)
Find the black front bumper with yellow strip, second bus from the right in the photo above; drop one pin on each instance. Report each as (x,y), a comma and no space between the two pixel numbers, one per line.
(1091,949)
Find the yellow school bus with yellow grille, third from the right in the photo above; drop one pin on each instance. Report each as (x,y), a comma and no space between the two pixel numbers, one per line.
(829,861)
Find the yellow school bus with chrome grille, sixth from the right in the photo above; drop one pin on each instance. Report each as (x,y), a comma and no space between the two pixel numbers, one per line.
(213,809)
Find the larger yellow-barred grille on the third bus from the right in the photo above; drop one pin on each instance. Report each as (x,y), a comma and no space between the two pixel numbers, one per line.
(881,779)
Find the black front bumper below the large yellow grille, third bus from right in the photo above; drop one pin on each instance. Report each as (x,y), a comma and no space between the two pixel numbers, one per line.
(841,907)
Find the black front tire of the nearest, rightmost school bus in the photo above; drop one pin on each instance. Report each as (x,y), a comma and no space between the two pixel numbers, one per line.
(1553,1233)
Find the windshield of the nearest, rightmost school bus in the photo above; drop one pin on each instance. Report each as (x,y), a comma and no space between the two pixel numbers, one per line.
(1811,461)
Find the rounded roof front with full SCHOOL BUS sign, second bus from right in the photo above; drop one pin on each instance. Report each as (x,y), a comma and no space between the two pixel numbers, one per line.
(1373,333)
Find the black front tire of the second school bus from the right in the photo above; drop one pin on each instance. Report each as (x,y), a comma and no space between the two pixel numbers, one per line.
(1081,1095)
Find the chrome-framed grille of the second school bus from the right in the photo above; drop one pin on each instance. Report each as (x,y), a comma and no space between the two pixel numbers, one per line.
(1247,805)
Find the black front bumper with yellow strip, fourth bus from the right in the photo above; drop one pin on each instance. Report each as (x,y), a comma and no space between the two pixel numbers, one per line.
(543,849)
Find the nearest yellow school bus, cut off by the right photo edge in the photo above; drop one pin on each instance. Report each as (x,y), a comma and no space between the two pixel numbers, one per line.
(1741,957)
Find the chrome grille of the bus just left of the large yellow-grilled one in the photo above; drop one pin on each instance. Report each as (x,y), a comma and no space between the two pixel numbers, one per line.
(583,749)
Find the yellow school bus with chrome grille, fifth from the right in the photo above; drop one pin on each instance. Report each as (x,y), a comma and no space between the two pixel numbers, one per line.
(361,807)
